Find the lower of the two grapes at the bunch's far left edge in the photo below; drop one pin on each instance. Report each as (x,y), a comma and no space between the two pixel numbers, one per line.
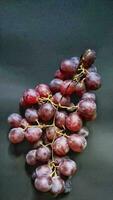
(16,135)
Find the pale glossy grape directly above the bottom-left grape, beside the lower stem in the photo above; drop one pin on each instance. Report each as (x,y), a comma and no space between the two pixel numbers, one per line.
(43,170)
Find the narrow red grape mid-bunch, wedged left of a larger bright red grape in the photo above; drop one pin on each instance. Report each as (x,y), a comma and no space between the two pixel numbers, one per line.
(60,119)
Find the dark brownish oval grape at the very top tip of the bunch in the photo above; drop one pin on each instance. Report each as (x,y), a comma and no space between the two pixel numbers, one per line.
(88,58)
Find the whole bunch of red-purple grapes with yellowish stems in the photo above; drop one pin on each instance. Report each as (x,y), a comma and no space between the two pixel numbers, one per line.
(54,125)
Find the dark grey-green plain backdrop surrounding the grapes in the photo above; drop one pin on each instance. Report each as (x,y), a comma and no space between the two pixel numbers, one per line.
(34,37)
